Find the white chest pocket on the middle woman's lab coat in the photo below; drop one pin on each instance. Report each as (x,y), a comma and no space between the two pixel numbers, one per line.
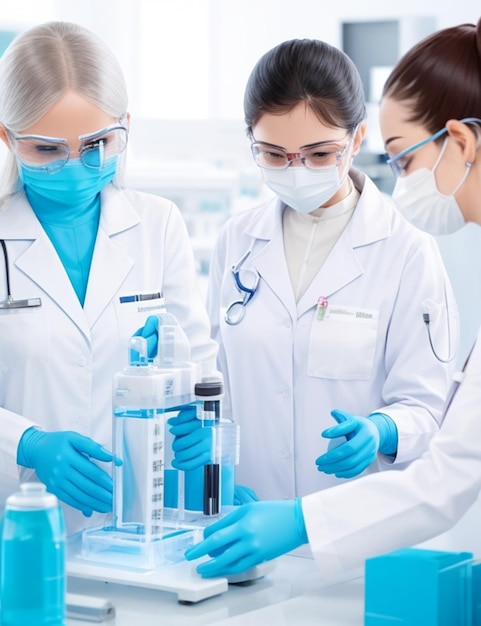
(342,344)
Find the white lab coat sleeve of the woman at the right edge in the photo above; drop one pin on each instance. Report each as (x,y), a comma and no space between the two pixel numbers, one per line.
(392,510)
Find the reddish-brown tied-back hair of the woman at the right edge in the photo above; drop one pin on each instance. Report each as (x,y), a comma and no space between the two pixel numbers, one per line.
(440,76)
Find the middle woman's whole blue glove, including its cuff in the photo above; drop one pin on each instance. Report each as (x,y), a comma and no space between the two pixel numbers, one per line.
(365,436)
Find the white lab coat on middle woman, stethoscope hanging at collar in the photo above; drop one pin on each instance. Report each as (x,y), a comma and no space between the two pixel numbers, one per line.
(285,370)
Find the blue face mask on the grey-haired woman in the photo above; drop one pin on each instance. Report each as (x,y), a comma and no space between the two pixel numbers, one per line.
(75,185)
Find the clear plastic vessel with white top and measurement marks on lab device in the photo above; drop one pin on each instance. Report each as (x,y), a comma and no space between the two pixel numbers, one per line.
(146,395)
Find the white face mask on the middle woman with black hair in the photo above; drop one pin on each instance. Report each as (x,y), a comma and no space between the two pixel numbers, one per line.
(302,189)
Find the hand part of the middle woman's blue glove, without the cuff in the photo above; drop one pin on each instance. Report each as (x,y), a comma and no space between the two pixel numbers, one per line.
(357,452)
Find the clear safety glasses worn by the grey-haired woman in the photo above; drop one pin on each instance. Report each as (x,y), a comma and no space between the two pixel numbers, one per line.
(50,154)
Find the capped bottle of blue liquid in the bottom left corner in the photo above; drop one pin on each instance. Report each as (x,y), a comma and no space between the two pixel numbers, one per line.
(33,585)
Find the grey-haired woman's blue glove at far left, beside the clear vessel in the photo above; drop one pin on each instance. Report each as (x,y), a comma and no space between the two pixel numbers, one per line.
(62,460)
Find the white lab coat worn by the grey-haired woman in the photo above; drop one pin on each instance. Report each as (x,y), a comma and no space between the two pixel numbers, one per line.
(57,360)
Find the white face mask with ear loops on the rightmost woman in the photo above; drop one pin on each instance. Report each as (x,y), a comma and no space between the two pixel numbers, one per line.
(420,201)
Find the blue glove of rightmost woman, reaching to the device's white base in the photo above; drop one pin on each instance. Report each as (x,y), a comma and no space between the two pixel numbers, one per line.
(251,534)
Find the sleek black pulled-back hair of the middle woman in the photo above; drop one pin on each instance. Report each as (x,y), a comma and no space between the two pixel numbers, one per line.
(310,71)
